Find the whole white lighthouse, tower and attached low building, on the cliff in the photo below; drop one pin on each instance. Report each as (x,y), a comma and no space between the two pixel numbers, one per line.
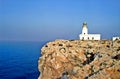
(86,36)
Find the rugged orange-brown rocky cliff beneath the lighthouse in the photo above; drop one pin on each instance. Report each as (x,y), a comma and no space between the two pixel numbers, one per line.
(77,59)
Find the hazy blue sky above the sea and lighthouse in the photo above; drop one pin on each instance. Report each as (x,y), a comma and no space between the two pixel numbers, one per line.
(43,20)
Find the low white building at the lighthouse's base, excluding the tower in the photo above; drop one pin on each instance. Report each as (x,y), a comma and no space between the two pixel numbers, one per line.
(90,37)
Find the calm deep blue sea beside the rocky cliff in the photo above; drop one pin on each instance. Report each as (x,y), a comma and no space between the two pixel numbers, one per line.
(19,60)
